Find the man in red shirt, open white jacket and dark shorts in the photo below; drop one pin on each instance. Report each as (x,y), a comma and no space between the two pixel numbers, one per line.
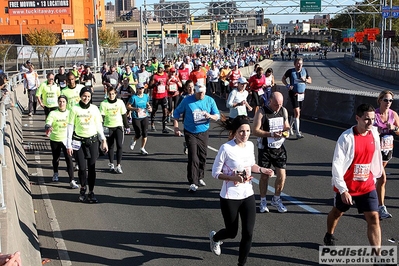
(356,162)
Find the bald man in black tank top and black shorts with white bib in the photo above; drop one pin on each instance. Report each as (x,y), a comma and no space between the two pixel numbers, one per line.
(271,127)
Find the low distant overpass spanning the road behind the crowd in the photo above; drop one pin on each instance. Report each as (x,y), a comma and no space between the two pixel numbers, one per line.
(265,38)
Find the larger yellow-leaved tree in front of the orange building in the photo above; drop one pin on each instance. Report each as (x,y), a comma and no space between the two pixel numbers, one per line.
(42,41)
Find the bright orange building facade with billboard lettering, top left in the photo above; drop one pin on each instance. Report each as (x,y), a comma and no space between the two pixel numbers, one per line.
(65,17)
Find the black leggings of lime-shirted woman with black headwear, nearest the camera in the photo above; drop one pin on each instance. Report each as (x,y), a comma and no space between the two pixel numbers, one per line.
(87,177)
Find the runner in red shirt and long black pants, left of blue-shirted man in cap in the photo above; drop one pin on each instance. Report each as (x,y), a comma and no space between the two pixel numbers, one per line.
(159,96)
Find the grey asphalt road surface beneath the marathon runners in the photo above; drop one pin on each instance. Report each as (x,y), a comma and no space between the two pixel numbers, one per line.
(146,216)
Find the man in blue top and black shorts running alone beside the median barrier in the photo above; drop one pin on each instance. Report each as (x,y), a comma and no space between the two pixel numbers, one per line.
(298,77)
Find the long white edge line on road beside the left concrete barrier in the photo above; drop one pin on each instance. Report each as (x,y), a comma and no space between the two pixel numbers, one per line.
(55,227)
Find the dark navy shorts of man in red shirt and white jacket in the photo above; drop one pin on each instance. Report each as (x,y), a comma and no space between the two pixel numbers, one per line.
(365,203)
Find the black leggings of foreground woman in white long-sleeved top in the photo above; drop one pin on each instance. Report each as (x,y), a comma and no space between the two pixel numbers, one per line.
(230,210)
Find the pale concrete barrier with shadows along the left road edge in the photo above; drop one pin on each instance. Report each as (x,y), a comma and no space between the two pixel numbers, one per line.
(18,227)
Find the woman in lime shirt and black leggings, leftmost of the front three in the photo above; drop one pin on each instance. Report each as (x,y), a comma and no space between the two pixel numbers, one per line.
(56,126)
